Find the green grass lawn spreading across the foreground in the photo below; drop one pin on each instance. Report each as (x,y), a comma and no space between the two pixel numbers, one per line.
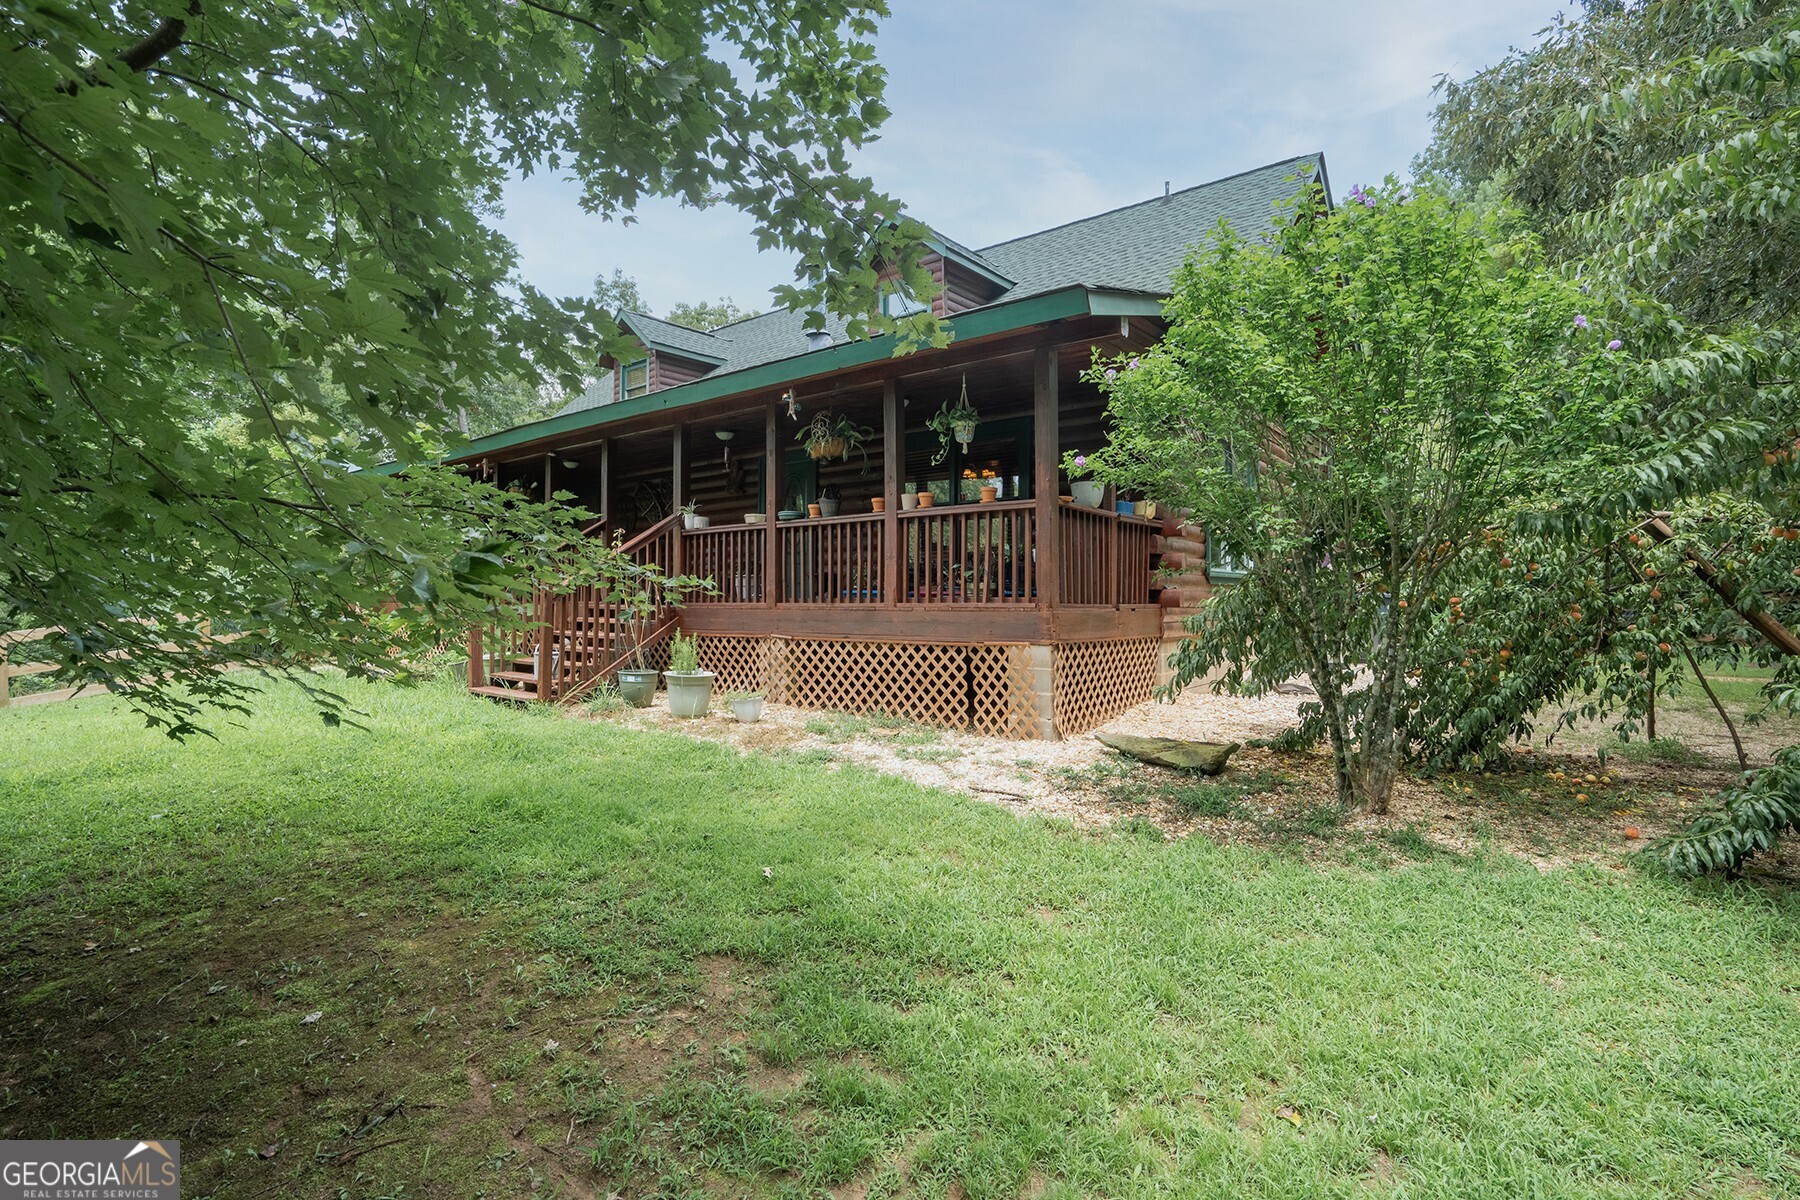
(559,958)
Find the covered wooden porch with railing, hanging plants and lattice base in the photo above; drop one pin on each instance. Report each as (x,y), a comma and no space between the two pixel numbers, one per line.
(973,607)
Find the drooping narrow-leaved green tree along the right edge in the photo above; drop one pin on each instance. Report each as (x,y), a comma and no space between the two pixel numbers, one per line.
(1655,147)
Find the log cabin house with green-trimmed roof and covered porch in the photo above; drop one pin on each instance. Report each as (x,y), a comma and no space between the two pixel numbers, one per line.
(1021,616)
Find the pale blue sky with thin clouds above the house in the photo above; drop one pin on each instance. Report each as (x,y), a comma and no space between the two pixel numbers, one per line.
(1014,116)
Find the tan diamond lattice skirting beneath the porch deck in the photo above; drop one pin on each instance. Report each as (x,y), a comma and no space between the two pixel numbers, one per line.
(998,690)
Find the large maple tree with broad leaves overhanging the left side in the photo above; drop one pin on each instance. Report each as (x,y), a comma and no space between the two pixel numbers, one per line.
(244,256)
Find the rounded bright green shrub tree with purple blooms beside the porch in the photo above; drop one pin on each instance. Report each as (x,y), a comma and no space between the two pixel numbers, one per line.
(1351,409)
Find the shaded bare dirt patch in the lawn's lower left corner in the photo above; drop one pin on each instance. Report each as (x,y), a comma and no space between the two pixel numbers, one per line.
(346,1050)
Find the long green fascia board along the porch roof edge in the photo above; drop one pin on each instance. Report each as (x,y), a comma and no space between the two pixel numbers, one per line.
(976,323)
